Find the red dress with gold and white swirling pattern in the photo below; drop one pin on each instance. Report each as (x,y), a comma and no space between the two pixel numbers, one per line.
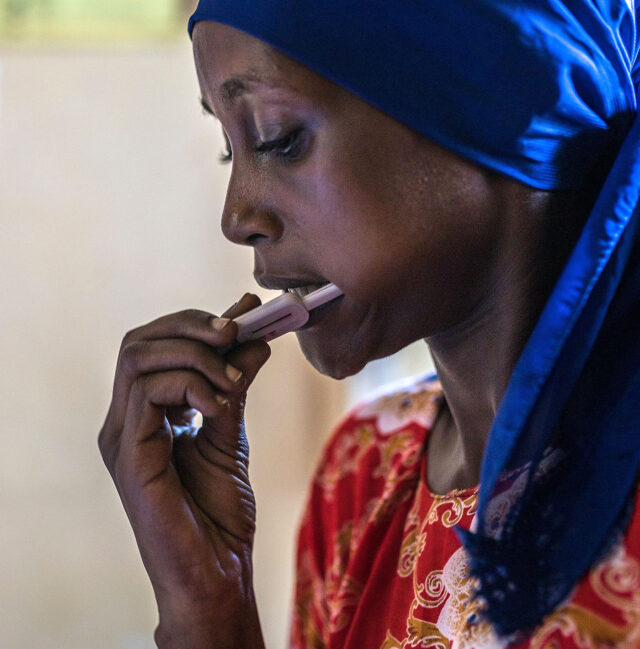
(379,565)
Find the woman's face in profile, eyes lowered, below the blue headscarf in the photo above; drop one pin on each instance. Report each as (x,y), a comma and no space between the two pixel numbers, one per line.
(324,187)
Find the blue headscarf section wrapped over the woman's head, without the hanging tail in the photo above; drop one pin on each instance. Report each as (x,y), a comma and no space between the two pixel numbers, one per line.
(433,68)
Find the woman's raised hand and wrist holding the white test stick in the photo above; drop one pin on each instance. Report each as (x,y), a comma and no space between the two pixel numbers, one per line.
(186,490)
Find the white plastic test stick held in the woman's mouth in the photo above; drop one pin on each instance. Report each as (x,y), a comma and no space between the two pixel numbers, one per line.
(285,313)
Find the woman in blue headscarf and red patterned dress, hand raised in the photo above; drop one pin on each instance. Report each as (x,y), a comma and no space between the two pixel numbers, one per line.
(445,167)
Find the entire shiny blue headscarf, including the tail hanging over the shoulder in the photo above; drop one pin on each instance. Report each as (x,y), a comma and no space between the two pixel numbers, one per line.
(546,92)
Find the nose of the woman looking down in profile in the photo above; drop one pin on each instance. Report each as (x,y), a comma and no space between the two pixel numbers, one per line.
(247,218)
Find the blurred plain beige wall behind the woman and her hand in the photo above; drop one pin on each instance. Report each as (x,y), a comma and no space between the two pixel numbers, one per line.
(110,193)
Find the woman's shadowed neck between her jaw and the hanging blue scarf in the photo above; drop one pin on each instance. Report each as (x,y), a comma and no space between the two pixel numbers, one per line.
(476,357)
